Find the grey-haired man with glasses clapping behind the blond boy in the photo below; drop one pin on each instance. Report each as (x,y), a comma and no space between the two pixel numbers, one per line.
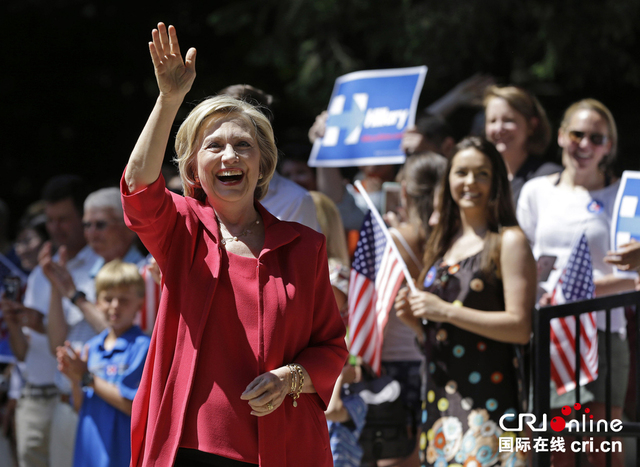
(73,315)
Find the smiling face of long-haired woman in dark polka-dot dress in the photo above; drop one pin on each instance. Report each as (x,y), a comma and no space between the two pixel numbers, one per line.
(470,179)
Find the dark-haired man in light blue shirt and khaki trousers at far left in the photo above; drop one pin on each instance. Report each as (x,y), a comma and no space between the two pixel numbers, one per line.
(44,398)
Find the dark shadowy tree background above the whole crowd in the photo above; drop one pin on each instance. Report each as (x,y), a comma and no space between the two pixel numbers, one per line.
(78,83)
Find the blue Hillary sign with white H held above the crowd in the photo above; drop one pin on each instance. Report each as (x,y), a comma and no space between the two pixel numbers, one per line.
(368,112)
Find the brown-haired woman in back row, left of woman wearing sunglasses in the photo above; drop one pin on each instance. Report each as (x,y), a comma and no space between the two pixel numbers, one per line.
(517,124)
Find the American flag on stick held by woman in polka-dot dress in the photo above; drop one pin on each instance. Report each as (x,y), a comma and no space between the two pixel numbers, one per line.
(376,277)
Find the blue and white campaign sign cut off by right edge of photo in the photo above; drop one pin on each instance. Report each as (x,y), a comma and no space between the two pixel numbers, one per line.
(625,226)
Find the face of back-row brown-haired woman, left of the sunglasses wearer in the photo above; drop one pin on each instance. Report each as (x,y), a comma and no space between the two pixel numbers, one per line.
(505,127)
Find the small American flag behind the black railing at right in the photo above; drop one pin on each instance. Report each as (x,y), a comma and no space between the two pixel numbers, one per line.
(575,283)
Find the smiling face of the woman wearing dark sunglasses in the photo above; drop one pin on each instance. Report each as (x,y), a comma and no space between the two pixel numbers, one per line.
(585,141)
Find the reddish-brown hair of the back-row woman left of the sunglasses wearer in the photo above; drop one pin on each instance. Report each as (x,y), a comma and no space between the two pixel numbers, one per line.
(529,106)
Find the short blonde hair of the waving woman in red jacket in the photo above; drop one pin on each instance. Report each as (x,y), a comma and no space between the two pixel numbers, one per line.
(211,110)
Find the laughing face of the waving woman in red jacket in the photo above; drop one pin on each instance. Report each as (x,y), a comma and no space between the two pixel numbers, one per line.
(228,161)
